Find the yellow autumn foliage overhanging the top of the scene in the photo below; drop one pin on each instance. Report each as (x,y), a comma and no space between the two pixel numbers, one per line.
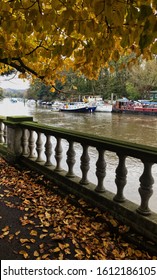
(45,37)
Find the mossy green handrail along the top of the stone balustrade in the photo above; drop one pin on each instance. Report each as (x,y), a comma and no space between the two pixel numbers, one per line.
(130,149)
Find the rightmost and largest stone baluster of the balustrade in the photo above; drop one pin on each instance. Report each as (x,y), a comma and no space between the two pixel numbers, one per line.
(145,190)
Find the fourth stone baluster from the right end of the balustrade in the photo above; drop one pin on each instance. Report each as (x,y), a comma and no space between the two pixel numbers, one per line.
(84,165)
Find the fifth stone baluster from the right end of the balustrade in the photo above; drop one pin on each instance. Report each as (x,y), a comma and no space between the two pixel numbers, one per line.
(71,159)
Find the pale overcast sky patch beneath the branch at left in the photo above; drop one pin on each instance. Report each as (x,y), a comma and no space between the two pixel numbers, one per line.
(13,83)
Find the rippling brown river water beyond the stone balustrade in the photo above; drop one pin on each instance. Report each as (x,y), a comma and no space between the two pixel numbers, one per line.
(136,129)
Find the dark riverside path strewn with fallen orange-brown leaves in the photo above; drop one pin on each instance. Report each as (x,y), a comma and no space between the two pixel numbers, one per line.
(39,221)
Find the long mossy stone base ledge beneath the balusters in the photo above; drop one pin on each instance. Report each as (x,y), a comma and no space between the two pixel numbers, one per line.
(125,212)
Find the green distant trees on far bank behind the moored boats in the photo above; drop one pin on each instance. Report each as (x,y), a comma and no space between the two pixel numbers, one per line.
(134,82)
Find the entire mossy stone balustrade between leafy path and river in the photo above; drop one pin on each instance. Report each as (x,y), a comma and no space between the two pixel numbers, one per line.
(66,157)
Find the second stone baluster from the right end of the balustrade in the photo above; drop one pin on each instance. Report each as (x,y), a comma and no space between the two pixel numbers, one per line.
(121,178)
